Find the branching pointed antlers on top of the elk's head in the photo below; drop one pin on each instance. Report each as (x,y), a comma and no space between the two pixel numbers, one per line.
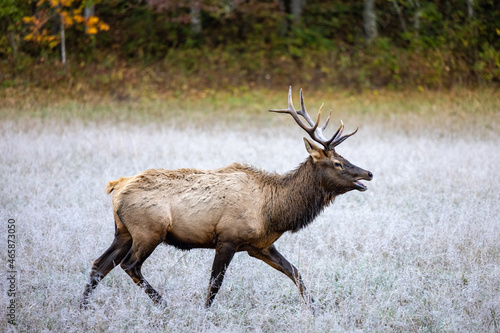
(314,132)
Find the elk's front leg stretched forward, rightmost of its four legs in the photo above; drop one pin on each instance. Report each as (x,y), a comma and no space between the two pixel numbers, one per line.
(273,258)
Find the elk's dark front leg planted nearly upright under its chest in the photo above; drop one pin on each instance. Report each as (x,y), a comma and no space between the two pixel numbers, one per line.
(223,255)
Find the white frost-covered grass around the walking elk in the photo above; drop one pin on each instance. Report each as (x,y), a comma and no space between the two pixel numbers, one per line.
(419,251)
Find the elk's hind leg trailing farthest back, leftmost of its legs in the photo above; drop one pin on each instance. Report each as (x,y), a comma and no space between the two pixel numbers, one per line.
(107,261)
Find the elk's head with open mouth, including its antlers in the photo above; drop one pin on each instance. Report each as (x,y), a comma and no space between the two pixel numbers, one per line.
(336,174)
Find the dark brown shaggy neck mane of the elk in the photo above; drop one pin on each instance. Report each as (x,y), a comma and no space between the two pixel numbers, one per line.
(293,200)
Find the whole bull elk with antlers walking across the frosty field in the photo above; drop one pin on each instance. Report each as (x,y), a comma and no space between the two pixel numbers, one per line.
(231,209)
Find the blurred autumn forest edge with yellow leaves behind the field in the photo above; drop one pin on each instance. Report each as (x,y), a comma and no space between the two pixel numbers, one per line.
(111,46)
